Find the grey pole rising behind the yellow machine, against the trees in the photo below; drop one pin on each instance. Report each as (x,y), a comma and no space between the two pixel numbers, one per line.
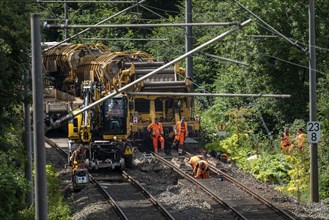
(188,40)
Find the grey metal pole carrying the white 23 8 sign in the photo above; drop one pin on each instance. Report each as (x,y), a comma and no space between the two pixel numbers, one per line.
(312,93)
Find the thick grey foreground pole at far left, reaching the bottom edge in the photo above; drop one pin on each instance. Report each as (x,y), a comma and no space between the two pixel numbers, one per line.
(41,203)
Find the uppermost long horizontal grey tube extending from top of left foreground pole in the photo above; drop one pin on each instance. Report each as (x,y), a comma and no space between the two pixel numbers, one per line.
(64,26)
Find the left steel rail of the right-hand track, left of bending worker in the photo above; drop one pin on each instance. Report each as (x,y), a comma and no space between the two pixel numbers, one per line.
(201,186)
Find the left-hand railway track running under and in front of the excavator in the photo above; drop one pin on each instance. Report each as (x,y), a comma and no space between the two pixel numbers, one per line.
(127,196)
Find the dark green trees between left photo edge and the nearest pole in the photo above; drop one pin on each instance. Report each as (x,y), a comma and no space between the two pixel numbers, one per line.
(14,62)
